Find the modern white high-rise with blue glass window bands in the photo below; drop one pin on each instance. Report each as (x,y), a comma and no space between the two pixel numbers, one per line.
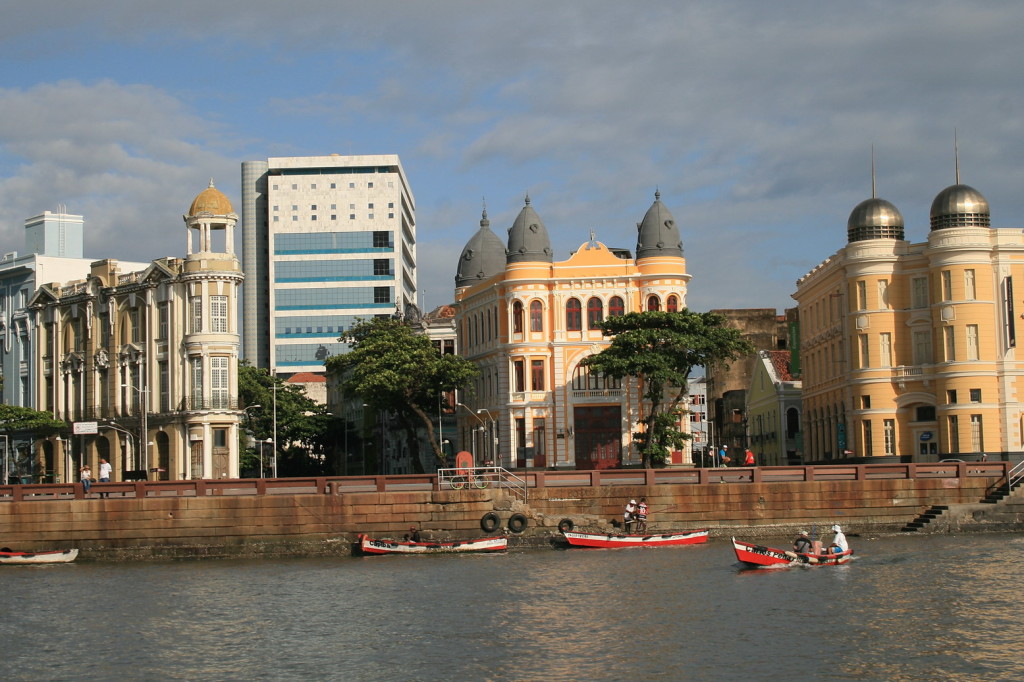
(326,241)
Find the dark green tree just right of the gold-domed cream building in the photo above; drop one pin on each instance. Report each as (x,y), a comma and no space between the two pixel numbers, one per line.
(306,430)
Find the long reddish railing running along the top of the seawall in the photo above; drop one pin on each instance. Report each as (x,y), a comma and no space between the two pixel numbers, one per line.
(535,480)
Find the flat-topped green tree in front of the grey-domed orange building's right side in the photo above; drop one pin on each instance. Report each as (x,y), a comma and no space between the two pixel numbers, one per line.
(661,350)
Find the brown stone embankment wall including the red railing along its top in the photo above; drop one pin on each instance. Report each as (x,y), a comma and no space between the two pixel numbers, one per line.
(311,516)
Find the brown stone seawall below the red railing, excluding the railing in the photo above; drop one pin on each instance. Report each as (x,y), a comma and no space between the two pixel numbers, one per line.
(328,524)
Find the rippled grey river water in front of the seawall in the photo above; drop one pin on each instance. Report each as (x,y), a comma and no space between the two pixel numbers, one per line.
(907,609)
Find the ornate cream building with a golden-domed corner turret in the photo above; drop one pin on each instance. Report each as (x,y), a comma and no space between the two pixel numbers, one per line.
(145,364)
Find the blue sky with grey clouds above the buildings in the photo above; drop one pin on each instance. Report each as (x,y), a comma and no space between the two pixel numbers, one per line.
(756,121)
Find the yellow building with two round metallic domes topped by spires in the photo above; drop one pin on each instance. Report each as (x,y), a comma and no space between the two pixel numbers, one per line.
(911,350)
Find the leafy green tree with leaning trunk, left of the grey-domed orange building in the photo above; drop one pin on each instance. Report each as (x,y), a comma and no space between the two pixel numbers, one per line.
(394,369)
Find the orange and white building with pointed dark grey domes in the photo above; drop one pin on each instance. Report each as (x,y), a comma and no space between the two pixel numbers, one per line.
(528,321)
